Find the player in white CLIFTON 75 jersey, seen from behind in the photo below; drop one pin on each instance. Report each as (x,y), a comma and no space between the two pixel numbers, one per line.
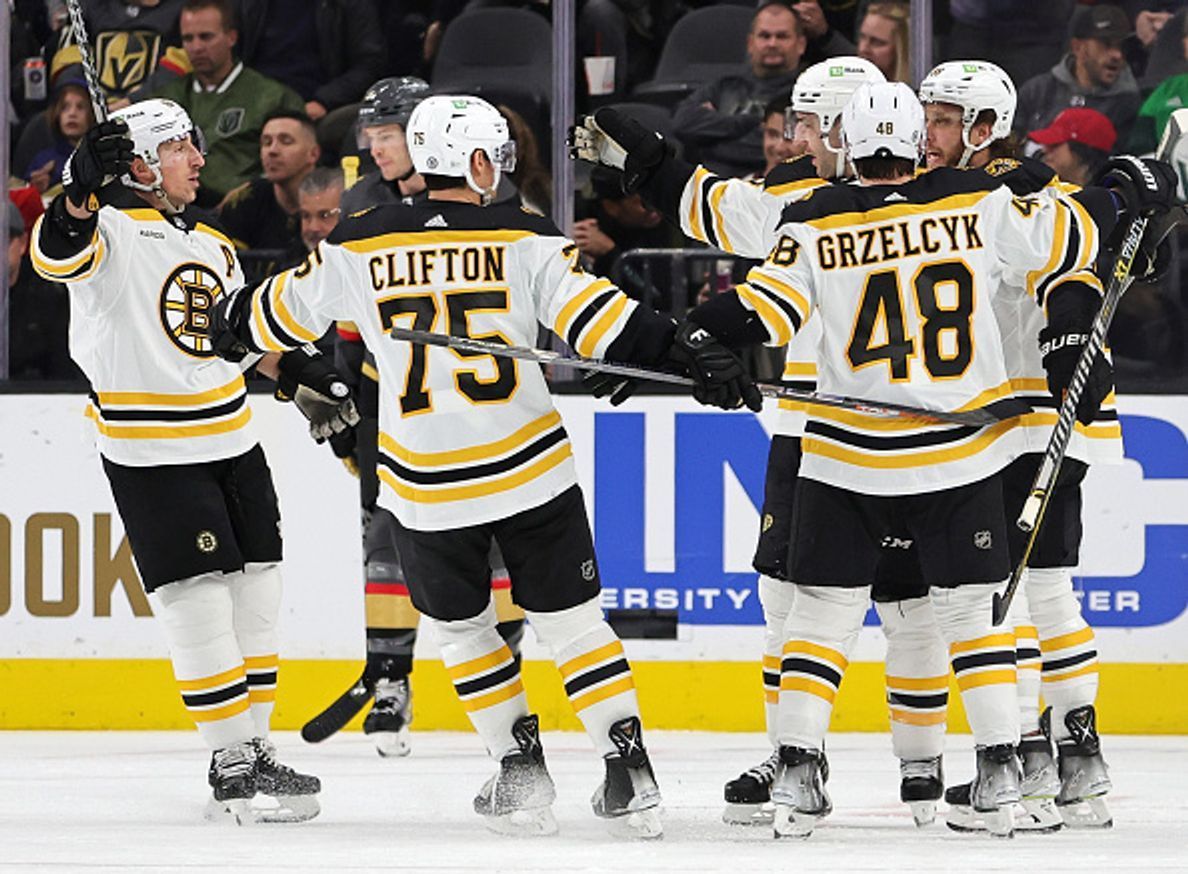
(471,447)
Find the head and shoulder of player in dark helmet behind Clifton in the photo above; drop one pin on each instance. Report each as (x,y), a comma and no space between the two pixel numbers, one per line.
(383,117)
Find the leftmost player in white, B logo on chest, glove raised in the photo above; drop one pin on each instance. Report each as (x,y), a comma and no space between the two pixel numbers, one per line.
(174,432)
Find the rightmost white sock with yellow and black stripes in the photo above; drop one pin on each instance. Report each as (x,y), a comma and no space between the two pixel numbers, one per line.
(1070,648)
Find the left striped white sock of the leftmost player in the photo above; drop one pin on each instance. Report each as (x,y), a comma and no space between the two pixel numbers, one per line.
(197,617)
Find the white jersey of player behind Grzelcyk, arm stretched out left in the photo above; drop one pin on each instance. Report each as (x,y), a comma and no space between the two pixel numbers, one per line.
(742,218)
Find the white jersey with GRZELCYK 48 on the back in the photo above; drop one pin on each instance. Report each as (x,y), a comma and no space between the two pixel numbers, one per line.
(903,280)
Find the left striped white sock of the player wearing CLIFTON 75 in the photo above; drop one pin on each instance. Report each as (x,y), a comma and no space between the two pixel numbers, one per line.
(486,677)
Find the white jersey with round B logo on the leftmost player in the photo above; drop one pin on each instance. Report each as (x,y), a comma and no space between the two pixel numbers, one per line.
(141,296)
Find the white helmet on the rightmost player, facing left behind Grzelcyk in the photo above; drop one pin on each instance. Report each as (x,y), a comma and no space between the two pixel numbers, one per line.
(975,86)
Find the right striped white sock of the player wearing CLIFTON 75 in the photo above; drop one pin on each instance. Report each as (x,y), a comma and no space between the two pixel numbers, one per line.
(593,668)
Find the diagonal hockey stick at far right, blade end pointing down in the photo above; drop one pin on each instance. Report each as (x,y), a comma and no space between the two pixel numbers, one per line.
(1042,487)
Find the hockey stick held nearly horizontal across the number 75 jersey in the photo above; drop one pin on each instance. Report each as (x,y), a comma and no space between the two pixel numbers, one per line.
(976,419)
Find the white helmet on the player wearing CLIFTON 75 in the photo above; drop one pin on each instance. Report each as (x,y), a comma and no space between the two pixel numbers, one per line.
(446,130)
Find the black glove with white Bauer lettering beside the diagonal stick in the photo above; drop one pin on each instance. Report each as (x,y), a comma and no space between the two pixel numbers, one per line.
(1071,313)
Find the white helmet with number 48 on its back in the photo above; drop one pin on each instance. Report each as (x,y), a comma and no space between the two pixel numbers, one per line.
(883,121)
